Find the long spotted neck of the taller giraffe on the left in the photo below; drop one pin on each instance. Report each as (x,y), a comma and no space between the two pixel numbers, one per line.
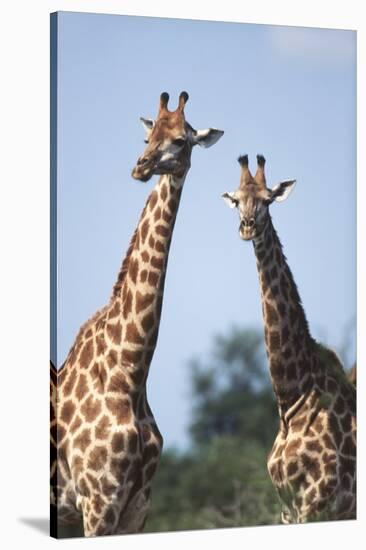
(138,293)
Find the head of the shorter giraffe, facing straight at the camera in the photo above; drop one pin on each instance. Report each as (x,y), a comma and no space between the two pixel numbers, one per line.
(253,198)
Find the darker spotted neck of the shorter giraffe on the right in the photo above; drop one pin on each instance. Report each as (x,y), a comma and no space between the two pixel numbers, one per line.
(288,341)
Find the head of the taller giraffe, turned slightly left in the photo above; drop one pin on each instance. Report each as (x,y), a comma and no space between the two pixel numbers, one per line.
(170,140)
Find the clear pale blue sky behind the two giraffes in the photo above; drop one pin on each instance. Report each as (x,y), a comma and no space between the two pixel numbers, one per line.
(286,92)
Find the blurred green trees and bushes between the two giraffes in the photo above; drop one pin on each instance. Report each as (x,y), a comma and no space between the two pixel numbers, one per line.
(222,480)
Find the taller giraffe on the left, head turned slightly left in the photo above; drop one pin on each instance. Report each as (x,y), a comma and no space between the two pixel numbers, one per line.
(105,444)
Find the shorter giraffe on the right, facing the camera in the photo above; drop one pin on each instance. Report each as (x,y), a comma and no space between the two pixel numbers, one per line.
(313,461)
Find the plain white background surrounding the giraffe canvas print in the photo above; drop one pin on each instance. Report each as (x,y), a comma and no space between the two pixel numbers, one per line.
(25,271)
